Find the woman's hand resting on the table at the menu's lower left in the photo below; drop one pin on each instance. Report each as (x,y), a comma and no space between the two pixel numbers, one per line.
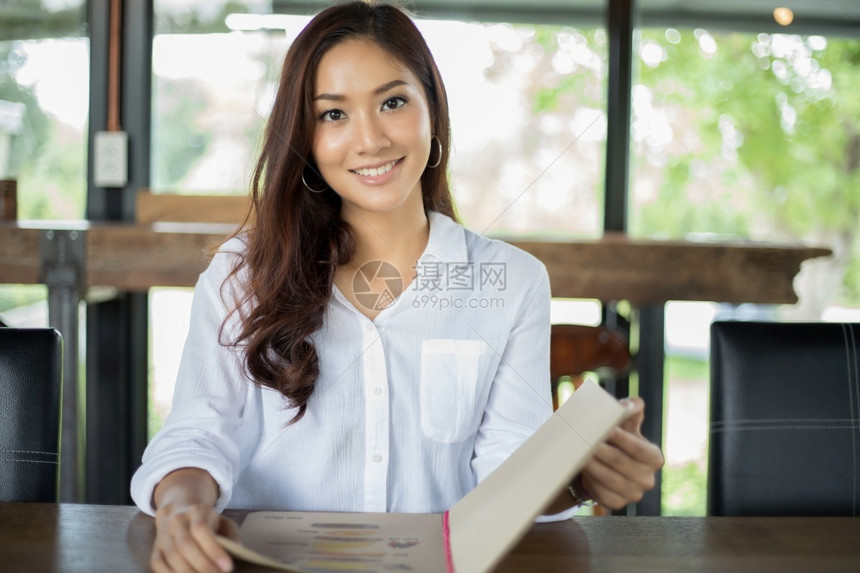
(185,539)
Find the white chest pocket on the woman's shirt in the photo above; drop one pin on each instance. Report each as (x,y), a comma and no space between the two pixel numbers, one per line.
(453,389)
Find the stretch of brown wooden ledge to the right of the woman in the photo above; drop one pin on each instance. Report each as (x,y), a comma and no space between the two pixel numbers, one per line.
(650,271)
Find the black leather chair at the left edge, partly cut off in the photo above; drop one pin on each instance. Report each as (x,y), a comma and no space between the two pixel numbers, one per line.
(30,395)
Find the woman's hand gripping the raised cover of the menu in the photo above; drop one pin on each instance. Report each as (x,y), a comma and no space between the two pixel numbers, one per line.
(623,467)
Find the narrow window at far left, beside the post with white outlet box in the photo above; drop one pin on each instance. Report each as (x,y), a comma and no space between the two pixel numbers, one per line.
(44,88)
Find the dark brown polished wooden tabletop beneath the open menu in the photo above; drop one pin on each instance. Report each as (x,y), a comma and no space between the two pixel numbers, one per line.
(96,538)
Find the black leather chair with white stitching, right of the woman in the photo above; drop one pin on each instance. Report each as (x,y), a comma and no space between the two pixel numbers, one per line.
(785,419)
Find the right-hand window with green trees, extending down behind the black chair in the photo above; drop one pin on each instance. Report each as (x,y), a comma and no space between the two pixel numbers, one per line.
(743,136)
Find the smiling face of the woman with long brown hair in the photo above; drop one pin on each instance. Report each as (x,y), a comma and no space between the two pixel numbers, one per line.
(372,133)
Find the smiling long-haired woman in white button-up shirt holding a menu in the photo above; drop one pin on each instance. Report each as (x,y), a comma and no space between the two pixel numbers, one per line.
(354,348)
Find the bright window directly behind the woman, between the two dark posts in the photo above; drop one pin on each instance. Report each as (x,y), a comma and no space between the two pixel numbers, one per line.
(528,117)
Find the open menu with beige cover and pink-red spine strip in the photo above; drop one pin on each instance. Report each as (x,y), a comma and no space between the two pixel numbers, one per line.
(470,537)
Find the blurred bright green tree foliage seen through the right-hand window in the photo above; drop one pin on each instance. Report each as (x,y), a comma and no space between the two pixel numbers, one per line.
(771,126)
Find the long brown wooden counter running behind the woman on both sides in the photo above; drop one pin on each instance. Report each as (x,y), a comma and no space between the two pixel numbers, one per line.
(136,257)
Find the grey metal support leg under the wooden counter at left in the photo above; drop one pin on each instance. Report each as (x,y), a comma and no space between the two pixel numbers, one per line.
(63,272)
